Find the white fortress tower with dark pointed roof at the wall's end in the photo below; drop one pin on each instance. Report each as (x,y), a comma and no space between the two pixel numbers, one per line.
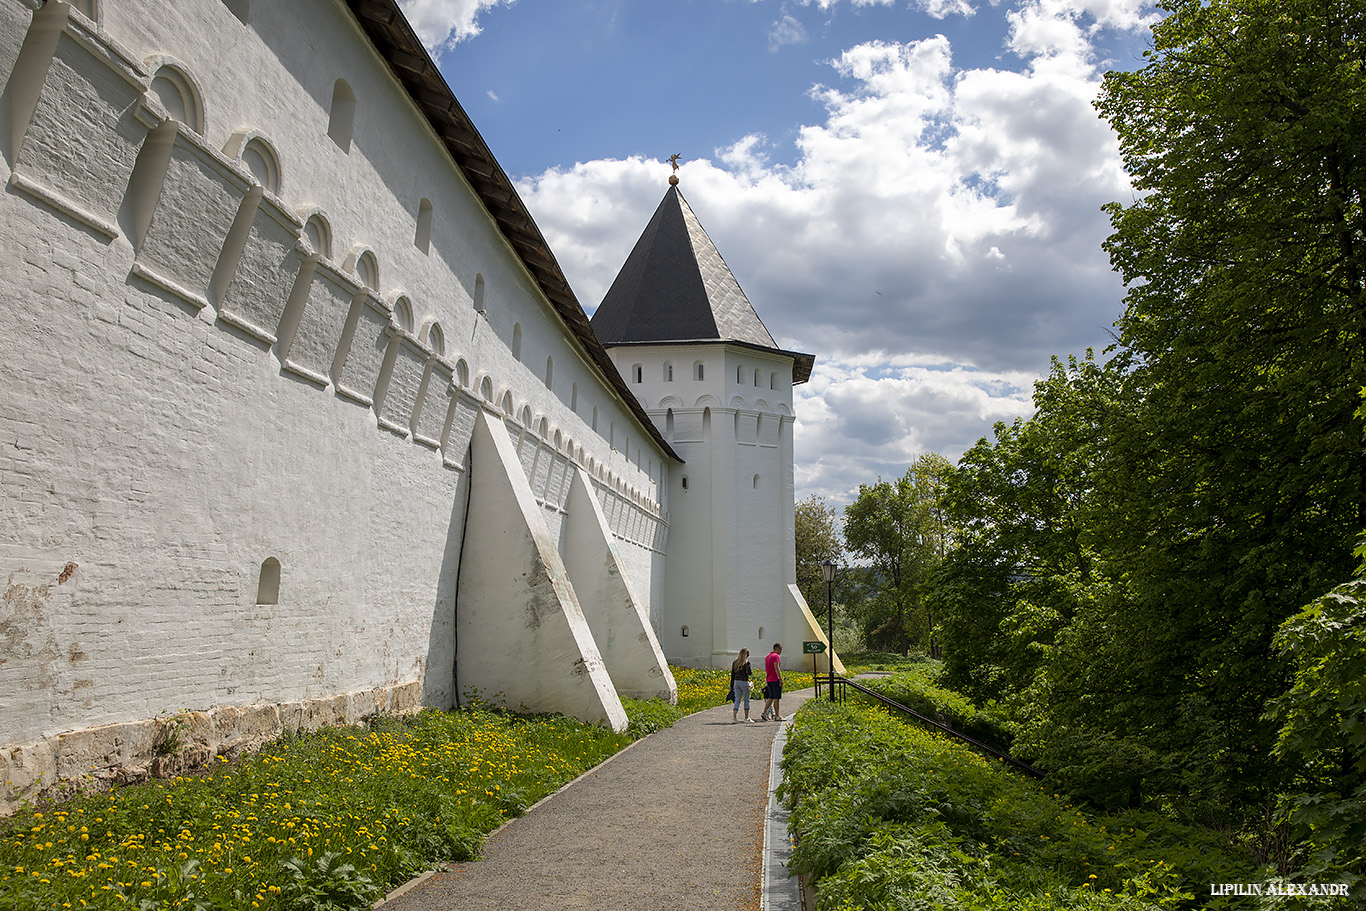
(700,360)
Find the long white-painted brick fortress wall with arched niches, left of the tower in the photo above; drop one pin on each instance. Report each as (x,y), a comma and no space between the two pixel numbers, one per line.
(238,397)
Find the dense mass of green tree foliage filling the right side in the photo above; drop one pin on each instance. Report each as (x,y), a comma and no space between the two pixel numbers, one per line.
(1132,551)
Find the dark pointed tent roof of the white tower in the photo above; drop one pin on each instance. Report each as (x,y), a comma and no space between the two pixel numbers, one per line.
(677,288)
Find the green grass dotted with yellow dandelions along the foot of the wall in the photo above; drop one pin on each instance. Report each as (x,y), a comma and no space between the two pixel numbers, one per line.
(323,820)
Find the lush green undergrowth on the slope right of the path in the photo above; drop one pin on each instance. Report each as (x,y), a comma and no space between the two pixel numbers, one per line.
(891,816)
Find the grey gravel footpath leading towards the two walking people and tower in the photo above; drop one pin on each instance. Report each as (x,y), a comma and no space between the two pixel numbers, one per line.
(675,823)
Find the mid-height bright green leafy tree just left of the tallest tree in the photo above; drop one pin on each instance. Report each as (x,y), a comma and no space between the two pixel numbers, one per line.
(1029,510)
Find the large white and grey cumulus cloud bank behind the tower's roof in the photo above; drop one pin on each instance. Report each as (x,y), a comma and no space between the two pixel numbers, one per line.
(934,242)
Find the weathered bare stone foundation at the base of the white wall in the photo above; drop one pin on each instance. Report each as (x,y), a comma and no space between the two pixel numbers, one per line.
(181,744)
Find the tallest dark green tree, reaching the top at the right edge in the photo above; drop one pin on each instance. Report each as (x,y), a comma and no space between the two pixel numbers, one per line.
(1240,479)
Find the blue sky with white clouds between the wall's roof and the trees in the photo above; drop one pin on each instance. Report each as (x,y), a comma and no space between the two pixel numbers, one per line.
(908,189)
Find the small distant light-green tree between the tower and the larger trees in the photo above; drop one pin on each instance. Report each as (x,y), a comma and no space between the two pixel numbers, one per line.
(901,531)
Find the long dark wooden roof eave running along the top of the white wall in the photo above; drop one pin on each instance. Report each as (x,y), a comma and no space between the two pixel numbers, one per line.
(394,39)
